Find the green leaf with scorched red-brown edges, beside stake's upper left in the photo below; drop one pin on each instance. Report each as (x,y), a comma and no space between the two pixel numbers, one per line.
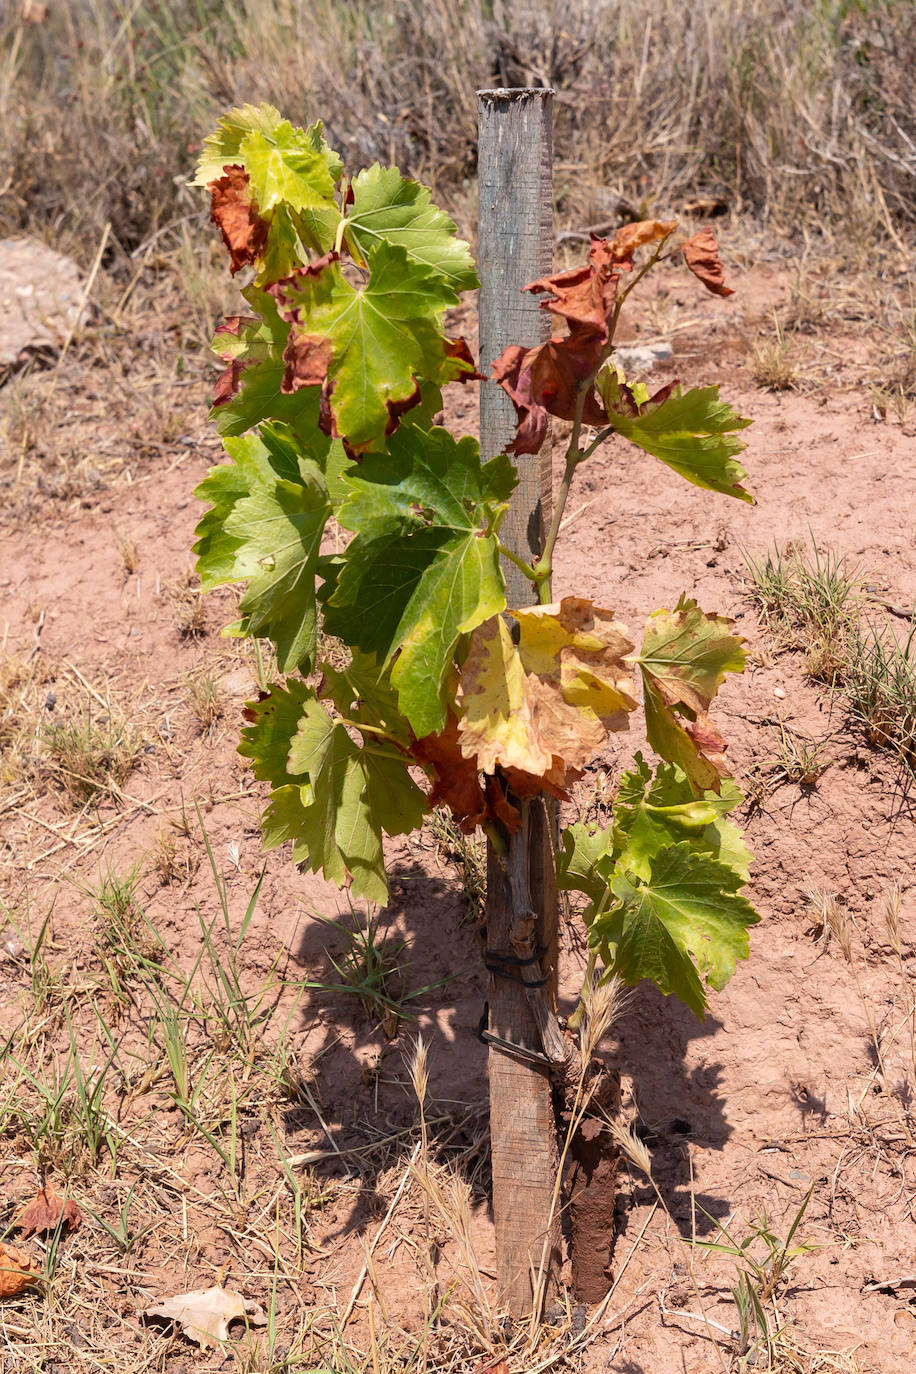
(370,347)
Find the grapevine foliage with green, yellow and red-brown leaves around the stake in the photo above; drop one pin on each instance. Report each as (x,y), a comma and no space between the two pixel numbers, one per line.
(328,409)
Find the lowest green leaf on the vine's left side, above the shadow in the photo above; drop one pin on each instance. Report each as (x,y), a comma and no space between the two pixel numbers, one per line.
(358,792)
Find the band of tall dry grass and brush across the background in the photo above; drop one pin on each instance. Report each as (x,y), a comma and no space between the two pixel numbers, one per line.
(632,128)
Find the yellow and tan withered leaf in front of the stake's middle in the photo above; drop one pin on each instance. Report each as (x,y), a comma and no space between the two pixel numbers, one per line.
(542,711)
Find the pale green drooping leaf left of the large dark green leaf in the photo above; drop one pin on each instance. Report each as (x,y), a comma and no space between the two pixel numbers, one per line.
(281,530)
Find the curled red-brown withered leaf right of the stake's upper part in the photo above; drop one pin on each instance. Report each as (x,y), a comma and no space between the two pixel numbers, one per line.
(546,380)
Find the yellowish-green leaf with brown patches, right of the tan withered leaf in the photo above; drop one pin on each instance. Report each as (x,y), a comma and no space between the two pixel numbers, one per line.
(685,659)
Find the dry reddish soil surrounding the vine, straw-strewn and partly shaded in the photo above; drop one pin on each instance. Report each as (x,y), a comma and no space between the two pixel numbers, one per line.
(779,1090)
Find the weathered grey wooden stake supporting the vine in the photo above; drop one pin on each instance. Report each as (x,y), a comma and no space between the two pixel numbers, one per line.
(516,248)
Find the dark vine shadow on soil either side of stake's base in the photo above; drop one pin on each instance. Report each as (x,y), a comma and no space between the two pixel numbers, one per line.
(363,1074)
